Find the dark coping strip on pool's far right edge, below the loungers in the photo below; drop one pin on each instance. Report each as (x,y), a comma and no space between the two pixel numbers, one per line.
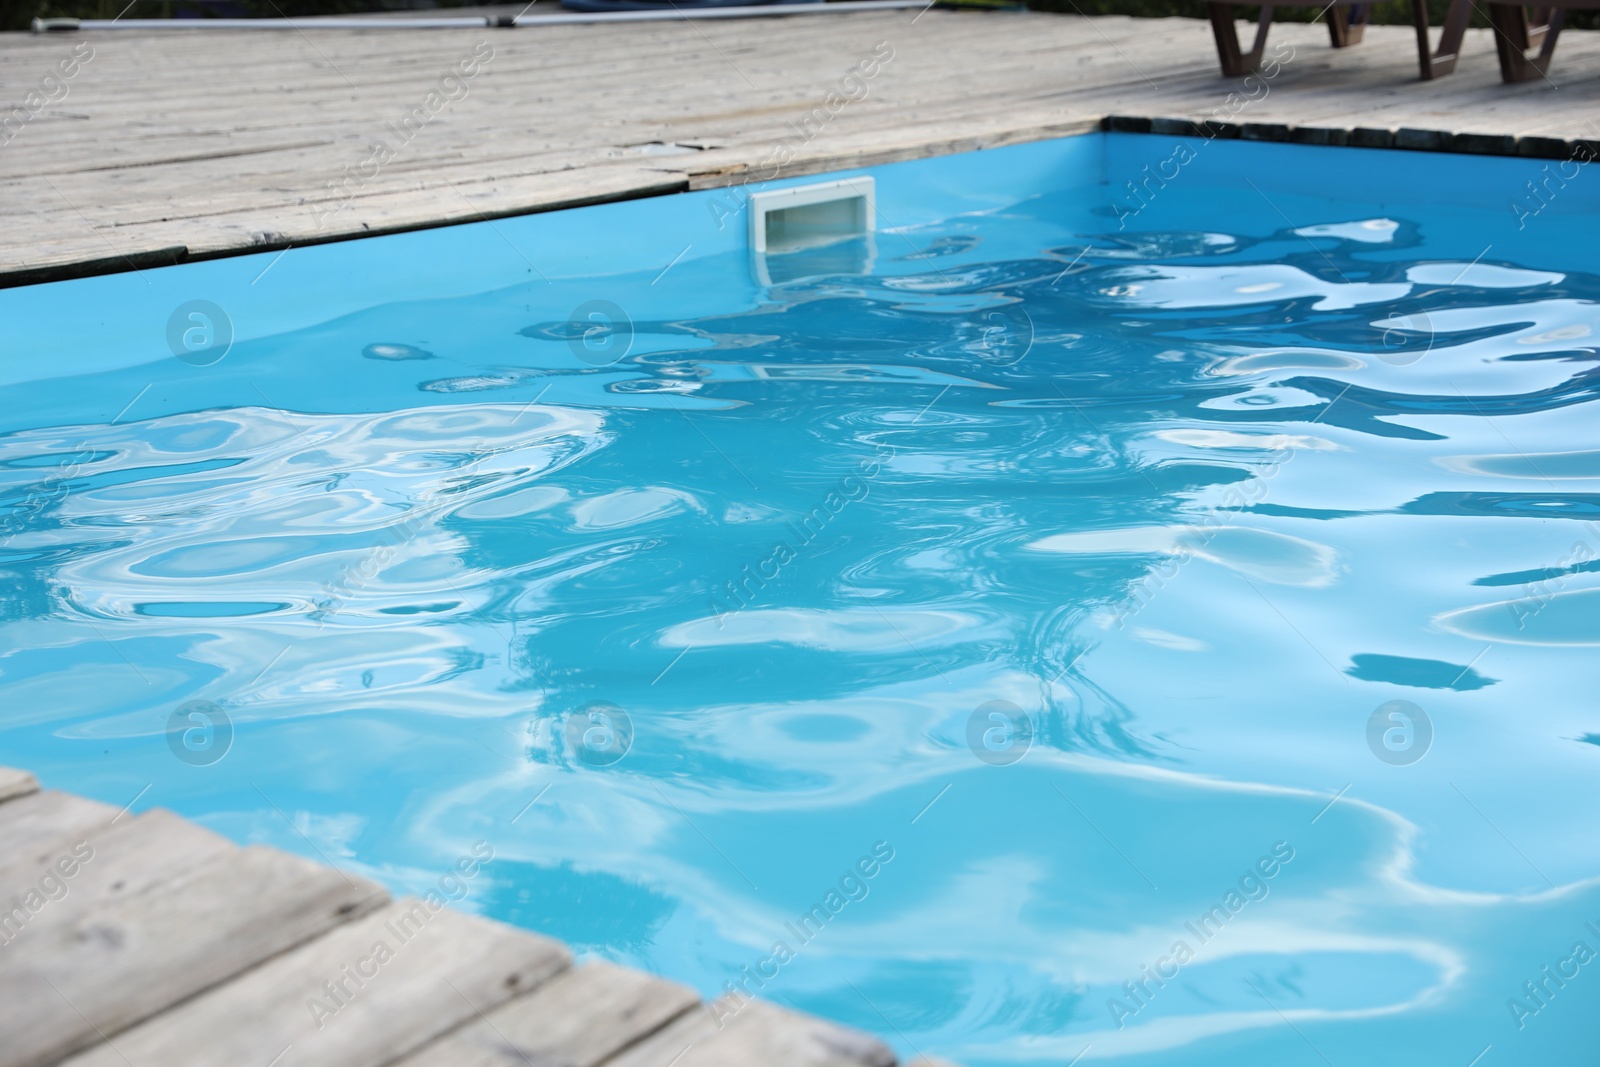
(1406,138)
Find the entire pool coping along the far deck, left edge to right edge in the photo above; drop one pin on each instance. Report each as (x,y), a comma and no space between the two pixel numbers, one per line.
(1402,138)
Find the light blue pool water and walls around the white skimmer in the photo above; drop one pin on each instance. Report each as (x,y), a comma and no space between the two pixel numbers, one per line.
(1177,508)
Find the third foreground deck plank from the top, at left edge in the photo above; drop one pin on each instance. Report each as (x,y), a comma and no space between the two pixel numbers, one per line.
(65,881)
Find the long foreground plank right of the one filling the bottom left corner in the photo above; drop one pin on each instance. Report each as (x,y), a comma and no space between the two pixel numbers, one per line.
(361,996)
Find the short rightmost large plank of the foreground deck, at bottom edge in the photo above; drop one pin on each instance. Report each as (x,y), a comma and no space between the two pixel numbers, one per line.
(727,1036)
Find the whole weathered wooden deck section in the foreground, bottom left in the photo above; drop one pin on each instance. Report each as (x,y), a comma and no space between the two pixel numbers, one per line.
(146,941)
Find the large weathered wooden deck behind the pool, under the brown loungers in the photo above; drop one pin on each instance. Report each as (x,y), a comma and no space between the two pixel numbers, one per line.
(190,145)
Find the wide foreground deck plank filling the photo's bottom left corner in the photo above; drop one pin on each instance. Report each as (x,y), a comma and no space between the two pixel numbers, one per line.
(87,977)
